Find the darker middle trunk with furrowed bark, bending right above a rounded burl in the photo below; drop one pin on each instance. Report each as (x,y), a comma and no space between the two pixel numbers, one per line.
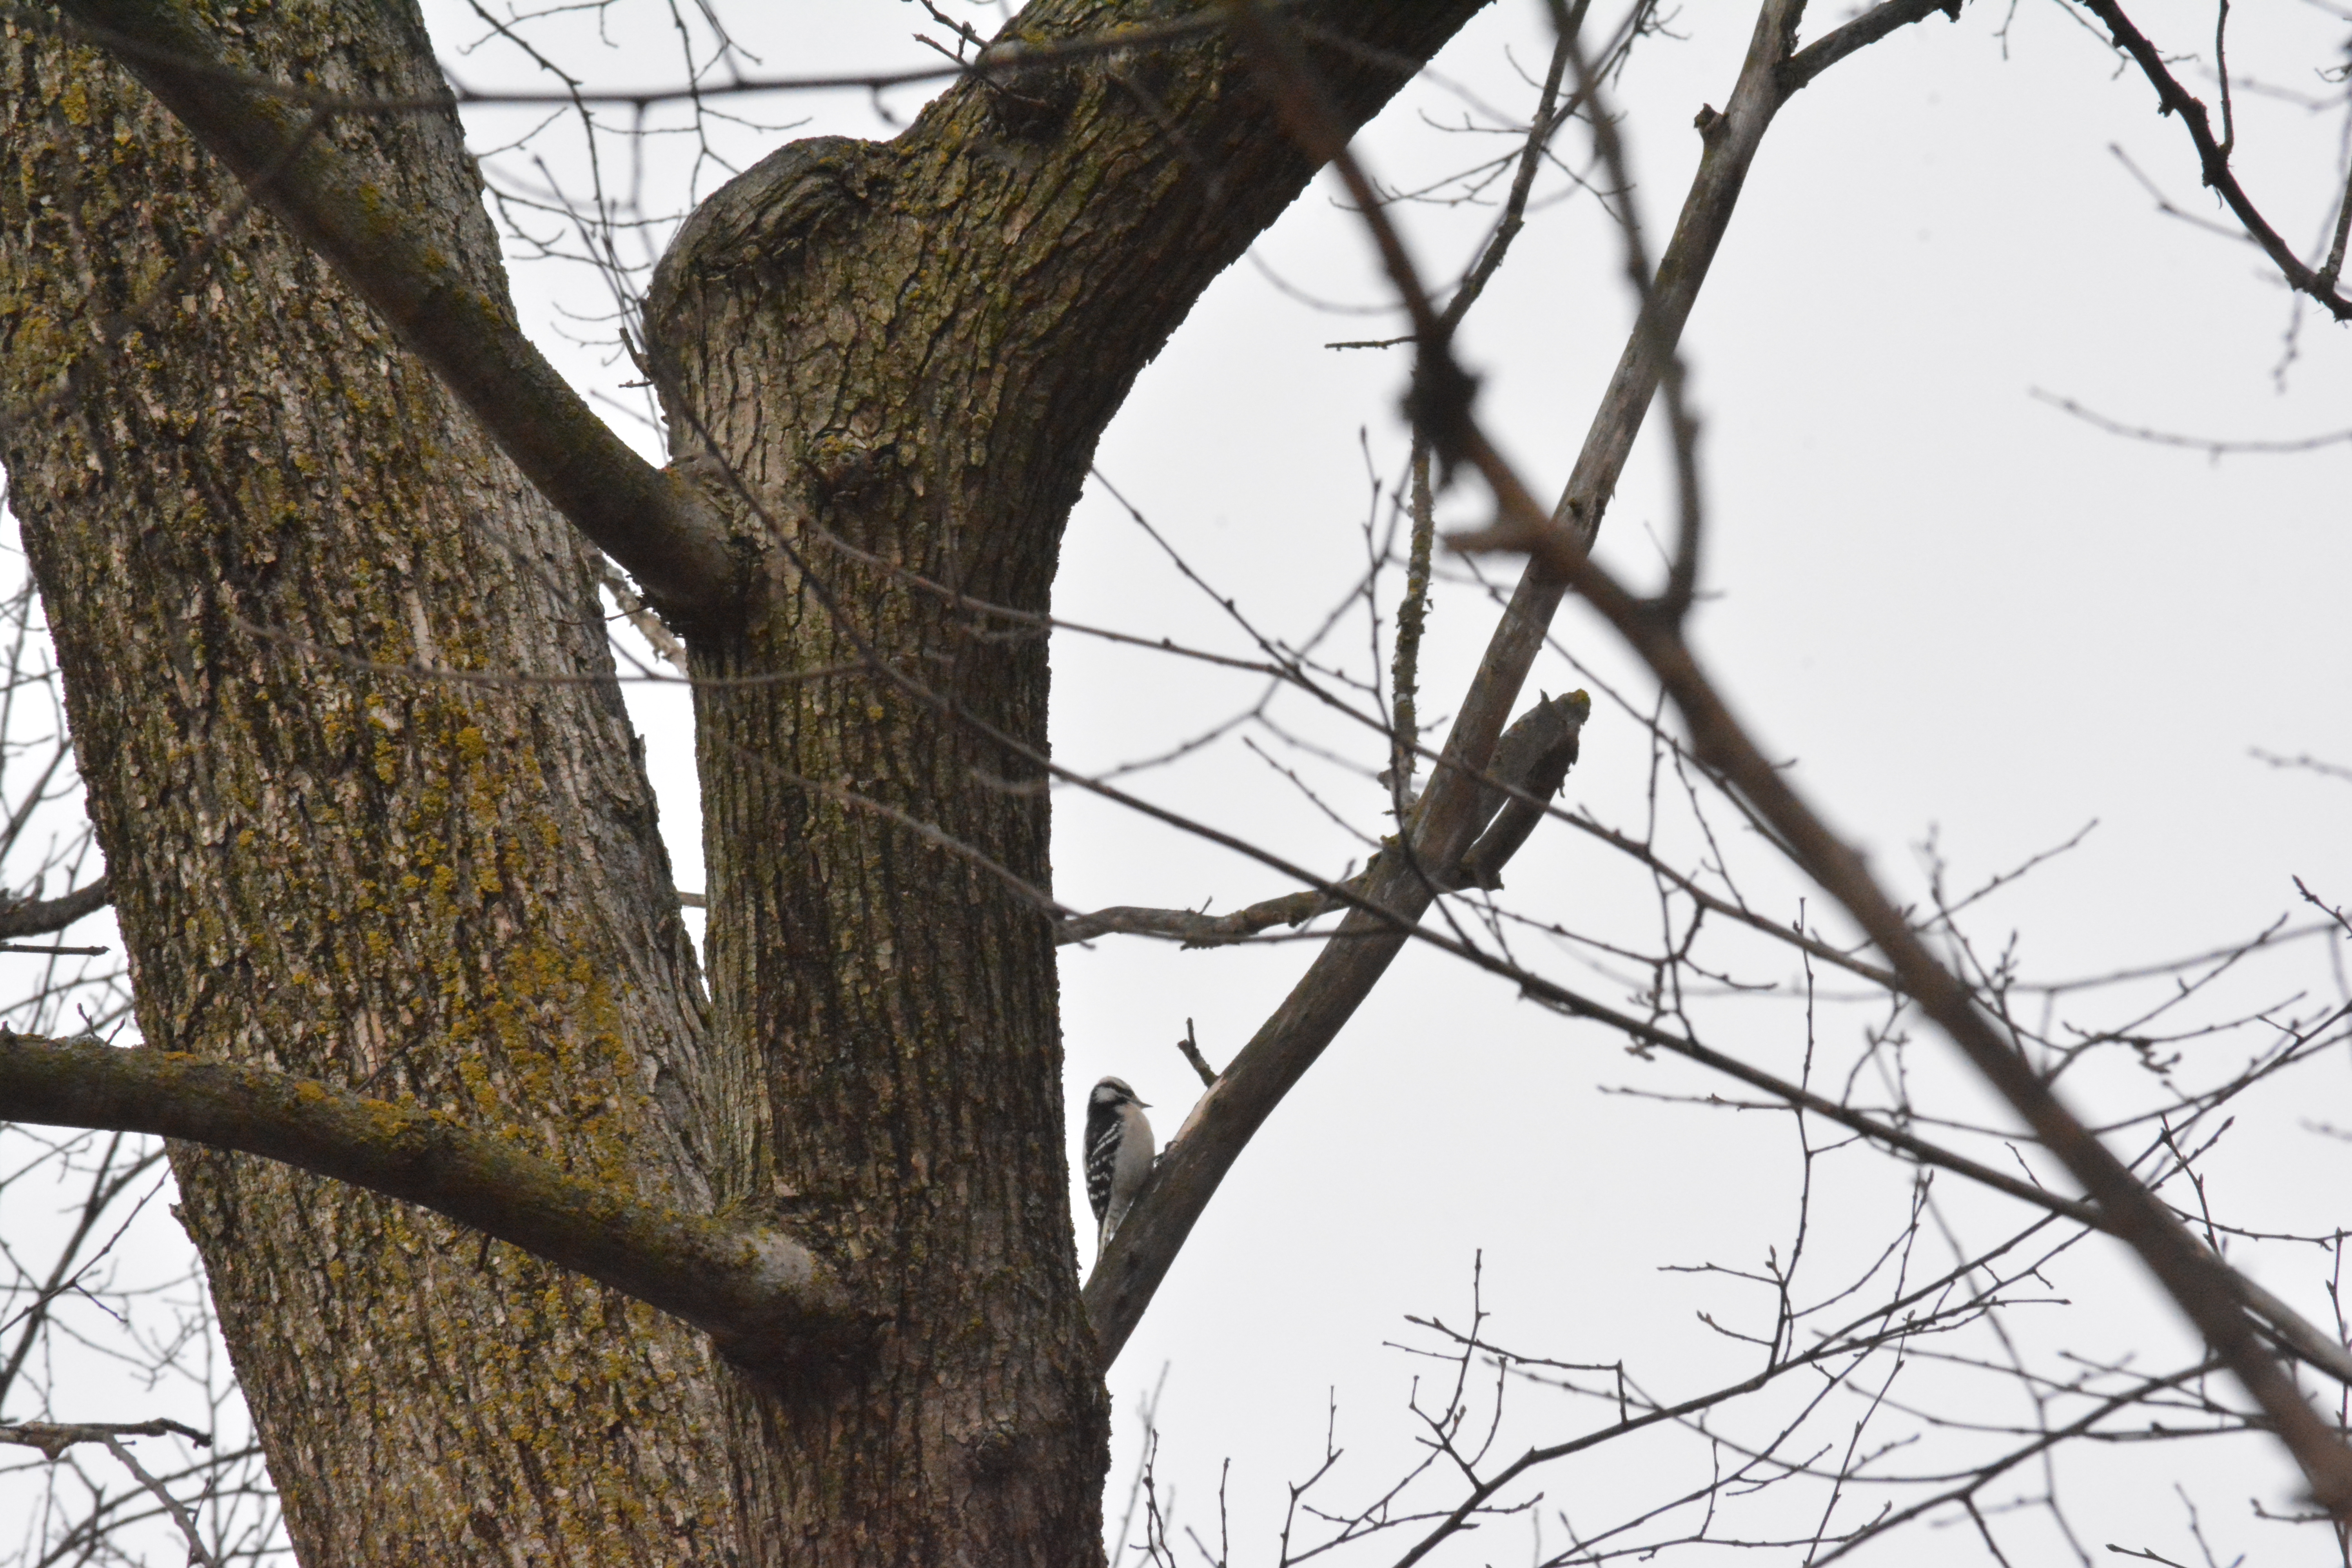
(907,354)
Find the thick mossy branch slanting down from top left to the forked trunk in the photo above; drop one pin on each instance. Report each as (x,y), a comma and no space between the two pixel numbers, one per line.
(655,525)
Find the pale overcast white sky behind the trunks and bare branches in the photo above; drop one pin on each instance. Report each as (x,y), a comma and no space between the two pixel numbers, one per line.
(1951,605)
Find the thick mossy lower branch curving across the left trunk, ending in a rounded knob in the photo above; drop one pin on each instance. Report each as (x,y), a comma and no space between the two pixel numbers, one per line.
(763,1299)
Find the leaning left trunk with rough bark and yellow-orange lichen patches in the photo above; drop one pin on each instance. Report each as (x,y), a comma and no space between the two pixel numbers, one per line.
(427,890)
